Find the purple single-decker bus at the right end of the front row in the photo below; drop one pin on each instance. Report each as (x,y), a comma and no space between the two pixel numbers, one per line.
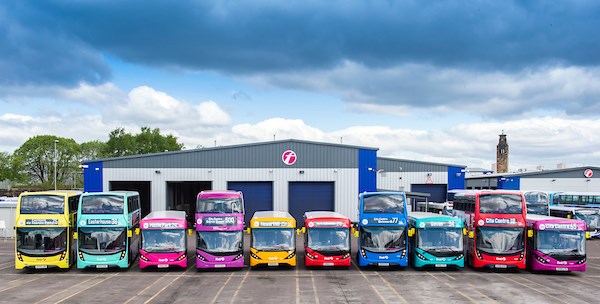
(555,244)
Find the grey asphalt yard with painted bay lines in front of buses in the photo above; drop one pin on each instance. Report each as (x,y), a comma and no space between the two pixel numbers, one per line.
(296,285)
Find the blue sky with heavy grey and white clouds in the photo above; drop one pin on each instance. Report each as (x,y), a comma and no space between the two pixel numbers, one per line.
(421,80)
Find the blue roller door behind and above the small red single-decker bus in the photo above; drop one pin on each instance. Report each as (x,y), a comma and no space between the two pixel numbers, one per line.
(310,196)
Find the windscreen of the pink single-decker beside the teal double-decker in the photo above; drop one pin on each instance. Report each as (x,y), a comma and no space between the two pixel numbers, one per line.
(172,240)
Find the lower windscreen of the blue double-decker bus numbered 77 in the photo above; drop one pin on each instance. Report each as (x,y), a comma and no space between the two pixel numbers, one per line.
(382,239)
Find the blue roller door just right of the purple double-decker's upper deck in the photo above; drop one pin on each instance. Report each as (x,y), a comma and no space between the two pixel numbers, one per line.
(258,196)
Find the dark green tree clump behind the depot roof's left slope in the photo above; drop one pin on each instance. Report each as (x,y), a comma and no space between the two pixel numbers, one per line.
(147,141)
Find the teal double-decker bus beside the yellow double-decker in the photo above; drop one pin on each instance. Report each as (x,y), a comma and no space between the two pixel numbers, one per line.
(105,237)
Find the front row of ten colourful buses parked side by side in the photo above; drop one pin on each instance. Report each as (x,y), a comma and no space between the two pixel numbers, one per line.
(105,230)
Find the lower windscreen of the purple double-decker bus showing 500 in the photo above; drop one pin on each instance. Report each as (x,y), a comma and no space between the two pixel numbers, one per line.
(220,242)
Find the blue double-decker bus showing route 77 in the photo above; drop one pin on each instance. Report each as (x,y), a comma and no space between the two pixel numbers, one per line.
(382,233)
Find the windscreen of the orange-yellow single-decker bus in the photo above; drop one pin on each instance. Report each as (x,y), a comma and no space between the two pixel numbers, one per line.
(273,239)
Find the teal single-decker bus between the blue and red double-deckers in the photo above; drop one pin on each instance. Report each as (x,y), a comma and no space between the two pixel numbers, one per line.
(436,241)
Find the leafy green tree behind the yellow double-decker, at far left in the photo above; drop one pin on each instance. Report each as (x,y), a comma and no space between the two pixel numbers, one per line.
(35,159)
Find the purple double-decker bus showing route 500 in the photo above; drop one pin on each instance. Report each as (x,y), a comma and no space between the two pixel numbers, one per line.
(219,229)
